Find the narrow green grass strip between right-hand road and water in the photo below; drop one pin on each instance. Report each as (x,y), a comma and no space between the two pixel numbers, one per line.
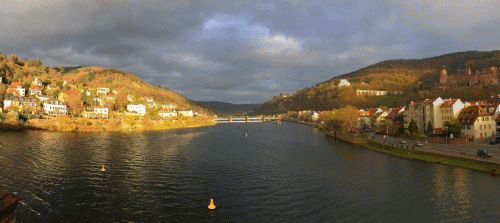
(486,167)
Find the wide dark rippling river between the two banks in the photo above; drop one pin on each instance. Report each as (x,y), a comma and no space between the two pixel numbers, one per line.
(276,173)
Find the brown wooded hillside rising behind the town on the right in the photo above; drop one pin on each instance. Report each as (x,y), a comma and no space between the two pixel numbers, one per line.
(411,79)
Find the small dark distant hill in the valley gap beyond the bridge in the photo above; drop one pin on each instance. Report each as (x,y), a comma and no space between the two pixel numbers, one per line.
(224,108)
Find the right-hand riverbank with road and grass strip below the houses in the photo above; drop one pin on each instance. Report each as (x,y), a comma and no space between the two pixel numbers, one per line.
(416,154)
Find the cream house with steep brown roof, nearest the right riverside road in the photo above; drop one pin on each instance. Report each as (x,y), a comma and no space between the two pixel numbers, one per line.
(477,123)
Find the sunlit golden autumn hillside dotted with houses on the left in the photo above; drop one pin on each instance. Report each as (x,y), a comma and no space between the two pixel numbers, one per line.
(77,86)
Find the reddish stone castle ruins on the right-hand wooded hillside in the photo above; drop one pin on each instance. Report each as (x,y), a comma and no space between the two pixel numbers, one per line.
(466,76)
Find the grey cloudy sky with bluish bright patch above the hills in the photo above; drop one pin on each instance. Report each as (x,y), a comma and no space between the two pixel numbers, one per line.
(243,51)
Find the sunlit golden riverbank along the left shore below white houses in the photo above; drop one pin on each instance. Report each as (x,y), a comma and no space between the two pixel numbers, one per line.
(122,123)
